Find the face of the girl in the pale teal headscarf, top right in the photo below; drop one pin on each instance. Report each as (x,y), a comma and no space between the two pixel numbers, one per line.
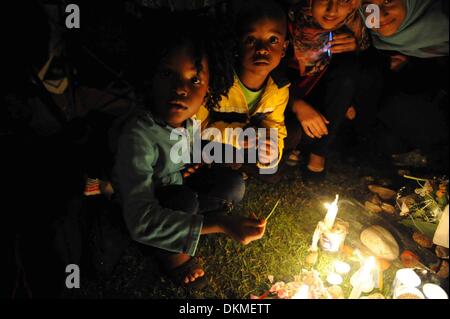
(392,15)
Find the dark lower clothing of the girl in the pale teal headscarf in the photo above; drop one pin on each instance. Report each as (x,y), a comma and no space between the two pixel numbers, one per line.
(414,110)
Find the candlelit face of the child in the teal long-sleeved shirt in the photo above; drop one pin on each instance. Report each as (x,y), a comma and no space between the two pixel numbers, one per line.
(178,89)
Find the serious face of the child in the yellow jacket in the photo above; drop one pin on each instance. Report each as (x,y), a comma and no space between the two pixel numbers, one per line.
(262,46)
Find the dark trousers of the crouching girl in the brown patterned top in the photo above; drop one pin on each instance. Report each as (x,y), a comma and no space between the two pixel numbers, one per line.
(350,80)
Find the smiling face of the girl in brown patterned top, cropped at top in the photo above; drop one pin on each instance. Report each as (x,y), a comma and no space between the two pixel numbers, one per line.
(332,13)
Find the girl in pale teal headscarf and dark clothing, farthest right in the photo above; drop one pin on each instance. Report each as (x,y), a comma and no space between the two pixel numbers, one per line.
(413,40)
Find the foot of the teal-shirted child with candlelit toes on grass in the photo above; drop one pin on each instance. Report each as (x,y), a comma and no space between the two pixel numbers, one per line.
(182,268)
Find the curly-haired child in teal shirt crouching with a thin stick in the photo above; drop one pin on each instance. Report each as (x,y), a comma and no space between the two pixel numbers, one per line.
(161,208)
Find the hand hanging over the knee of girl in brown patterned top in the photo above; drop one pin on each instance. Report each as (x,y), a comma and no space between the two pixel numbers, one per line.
(314,124)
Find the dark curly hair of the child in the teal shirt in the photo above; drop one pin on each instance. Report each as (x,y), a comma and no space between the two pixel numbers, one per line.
(208,38)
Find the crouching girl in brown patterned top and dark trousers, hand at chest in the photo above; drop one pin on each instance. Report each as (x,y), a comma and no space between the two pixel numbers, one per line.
(327,36)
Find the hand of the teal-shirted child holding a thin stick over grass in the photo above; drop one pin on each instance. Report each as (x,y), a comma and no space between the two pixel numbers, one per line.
(245,230)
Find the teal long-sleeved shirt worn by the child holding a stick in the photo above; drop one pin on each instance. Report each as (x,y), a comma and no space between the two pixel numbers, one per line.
(143,164)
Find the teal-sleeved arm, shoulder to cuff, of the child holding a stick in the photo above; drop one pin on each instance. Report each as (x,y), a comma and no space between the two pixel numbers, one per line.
(148,222)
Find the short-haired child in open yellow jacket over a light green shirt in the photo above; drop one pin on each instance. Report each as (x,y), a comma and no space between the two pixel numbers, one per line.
(259,96)
